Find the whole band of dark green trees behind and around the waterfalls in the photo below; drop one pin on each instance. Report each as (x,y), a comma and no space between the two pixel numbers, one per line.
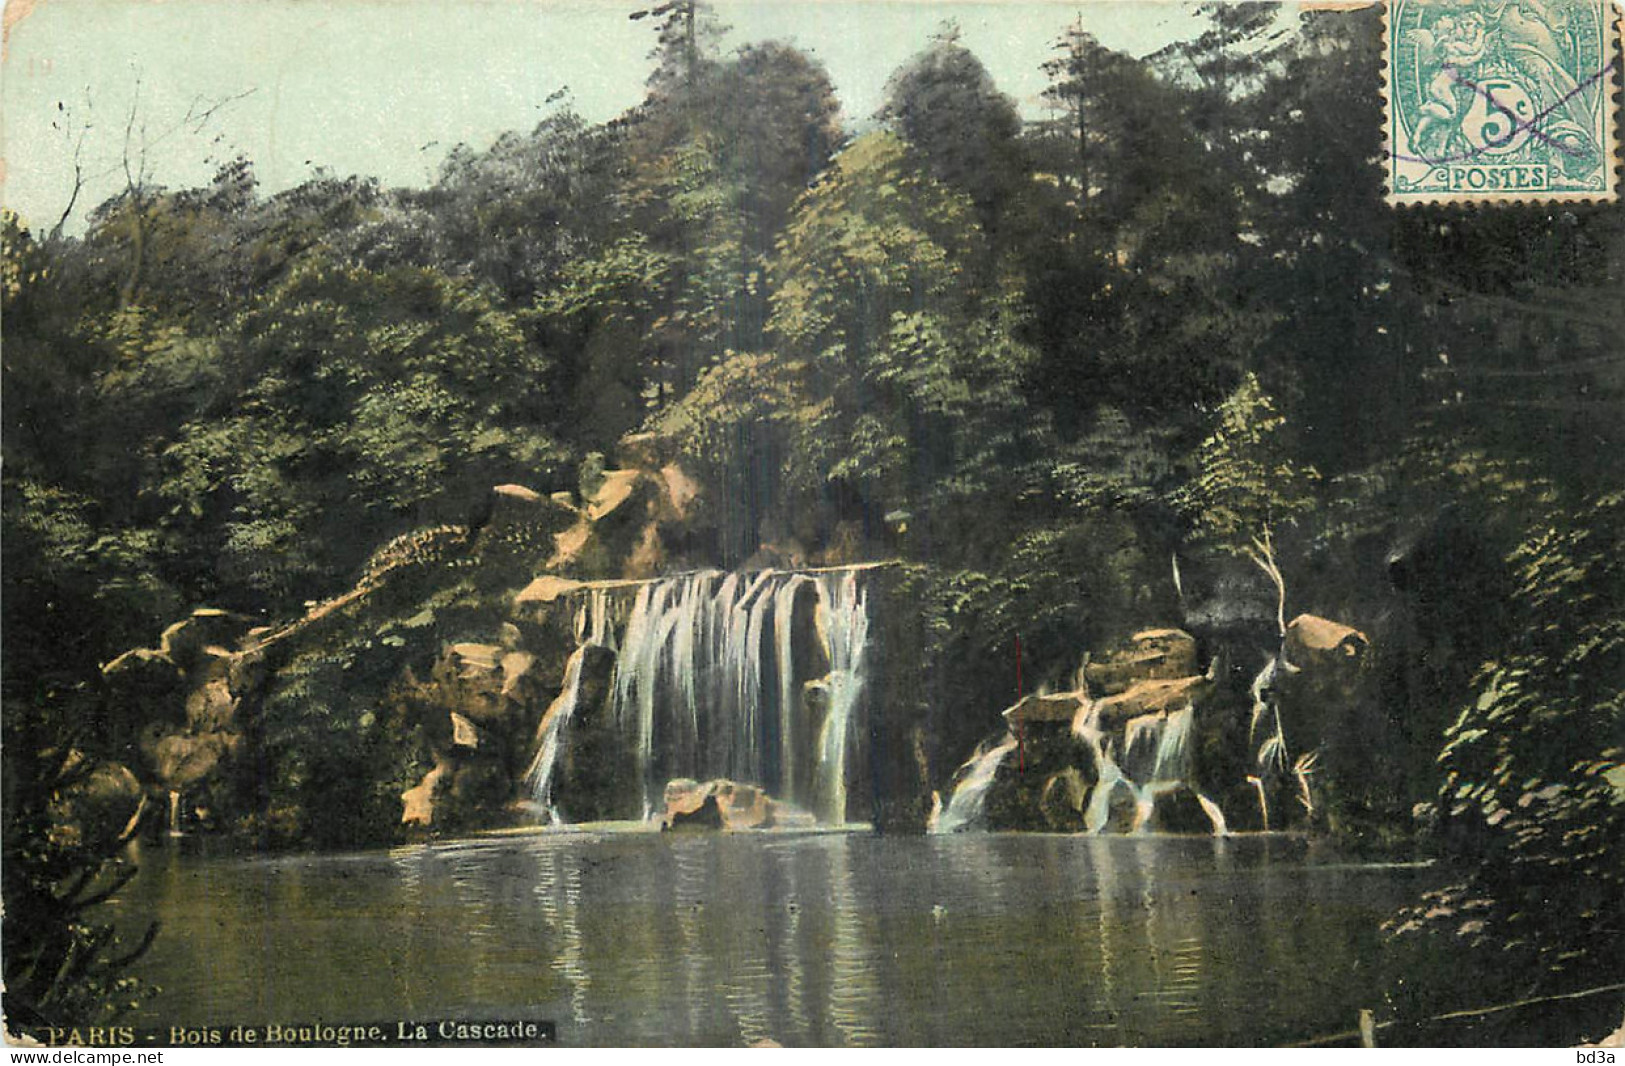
(1041,358)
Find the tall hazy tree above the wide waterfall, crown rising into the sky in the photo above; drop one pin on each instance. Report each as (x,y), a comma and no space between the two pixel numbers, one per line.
(713,167)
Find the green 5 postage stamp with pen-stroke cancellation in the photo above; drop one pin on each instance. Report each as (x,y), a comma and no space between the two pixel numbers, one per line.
(1502,100)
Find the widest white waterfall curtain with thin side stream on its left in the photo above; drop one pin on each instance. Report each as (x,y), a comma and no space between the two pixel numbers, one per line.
(713,680)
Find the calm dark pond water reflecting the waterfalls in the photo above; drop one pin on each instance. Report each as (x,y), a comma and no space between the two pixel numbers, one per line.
(849,938)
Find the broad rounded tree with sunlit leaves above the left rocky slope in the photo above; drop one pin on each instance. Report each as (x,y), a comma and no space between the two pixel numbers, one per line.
(349,405)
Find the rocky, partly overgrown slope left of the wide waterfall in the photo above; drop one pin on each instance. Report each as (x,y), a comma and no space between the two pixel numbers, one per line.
(414,696)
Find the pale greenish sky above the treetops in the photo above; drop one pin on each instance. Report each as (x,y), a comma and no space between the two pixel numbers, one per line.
(386,89)
